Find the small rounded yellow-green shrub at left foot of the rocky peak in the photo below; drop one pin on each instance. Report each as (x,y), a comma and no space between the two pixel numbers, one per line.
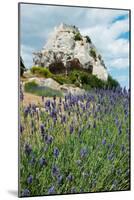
(40,71)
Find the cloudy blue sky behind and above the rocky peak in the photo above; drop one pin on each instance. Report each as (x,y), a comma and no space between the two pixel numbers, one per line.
(108,29)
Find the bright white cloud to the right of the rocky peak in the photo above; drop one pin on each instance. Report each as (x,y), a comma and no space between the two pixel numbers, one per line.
(106,38)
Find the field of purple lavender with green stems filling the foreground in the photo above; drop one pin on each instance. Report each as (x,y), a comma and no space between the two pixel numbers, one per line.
(75,144)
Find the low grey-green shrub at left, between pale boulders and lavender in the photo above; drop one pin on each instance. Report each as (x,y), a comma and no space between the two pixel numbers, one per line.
(34,88)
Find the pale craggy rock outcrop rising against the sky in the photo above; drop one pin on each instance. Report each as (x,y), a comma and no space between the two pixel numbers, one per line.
(67,46)
